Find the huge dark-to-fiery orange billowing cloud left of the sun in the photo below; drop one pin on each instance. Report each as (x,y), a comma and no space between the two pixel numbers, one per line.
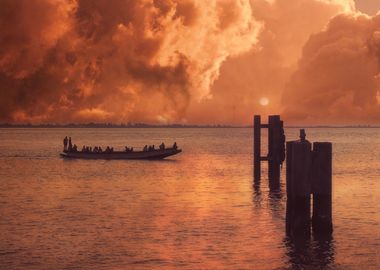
(84,60)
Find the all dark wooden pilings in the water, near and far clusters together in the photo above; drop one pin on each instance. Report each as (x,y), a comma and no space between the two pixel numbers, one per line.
(308,177)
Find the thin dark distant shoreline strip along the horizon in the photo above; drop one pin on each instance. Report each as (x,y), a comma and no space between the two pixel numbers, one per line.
(142,125)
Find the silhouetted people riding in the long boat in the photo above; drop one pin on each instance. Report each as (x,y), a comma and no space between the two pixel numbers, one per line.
(68,146)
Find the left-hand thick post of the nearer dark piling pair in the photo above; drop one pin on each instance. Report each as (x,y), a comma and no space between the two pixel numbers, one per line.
(300,188)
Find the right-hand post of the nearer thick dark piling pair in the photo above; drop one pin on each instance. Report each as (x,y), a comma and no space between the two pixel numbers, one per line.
(322,187)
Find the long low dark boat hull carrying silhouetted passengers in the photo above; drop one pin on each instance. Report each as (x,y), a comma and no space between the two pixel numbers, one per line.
(152,154)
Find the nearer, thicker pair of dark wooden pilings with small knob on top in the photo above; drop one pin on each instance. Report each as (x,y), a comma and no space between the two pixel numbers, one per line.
(308,179)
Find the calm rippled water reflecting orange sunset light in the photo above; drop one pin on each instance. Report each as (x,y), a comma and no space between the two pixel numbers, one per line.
(196,210)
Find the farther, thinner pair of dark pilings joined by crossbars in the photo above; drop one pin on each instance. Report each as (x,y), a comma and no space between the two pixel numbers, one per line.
(276,148)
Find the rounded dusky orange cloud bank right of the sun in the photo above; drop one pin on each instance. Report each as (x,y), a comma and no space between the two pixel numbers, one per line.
(338,75)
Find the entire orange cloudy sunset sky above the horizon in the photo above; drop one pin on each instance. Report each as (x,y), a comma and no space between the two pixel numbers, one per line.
(190,61)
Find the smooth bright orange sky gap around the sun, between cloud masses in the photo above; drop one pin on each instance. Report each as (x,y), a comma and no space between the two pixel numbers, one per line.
(265,70)
